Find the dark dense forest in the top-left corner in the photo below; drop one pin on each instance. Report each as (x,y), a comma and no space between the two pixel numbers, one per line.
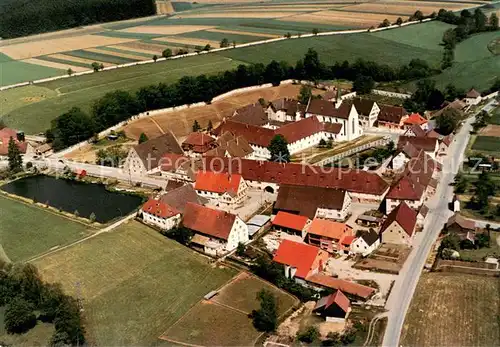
(25,17)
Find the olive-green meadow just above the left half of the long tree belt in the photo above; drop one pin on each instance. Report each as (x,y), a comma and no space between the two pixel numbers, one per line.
(82,91)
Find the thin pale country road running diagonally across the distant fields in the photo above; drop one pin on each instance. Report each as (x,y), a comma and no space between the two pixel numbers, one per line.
(151,61)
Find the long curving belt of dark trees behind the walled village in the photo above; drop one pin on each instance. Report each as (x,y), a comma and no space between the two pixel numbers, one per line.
(76,125)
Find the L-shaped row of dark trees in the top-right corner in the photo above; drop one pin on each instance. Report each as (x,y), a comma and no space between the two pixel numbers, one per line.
(466,24)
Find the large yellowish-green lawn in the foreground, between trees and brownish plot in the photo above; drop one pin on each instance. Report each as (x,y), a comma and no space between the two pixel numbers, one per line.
(134,282)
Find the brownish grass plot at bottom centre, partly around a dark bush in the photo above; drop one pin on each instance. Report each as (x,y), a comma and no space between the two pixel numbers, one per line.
(223,320)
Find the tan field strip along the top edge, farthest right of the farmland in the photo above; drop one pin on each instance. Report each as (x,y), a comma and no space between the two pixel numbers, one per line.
(406,7)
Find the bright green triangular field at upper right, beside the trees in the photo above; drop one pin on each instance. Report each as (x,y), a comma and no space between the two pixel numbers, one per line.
(426,36)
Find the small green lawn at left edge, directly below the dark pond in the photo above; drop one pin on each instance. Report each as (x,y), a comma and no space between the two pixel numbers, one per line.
(27,230)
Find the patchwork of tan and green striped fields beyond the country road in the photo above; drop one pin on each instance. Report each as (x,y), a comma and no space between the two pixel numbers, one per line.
(193,27)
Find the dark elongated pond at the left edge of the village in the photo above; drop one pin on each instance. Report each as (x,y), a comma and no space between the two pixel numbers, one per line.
(71,196)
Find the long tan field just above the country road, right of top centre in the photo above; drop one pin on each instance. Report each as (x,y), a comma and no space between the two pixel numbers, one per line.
(341,17)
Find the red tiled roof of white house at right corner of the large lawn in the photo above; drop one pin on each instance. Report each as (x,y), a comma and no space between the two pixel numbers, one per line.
(208,221)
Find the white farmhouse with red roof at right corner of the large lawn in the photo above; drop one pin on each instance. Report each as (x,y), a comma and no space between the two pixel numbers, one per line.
(216,231)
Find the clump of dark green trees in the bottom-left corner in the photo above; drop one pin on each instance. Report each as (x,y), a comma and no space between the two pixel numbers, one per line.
(28,299)
